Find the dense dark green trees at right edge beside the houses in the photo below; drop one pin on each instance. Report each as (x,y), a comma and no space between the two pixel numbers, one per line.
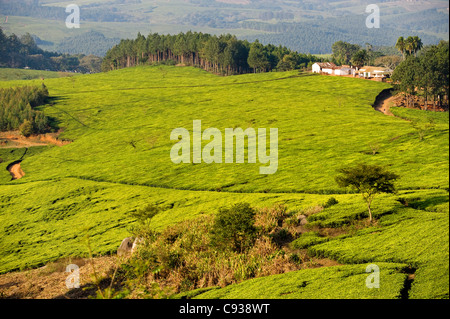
(424,75)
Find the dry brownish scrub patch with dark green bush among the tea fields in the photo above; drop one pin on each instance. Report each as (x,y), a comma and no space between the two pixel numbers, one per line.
(239,243)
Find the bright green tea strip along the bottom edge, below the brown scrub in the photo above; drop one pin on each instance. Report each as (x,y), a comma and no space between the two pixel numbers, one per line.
(337,282)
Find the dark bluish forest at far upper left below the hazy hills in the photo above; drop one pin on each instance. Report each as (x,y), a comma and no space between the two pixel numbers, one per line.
(23,52)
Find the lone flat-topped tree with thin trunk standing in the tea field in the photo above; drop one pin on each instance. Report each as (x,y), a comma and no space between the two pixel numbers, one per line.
(368,180)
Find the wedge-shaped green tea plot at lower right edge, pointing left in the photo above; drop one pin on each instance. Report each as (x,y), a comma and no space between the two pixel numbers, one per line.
(417,240)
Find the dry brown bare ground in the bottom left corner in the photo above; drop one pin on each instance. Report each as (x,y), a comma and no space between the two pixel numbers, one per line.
(49,282)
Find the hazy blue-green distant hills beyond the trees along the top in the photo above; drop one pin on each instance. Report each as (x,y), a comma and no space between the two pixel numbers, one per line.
(304,26)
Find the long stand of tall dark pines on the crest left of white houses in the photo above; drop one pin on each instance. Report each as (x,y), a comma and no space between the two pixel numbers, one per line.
(223,54)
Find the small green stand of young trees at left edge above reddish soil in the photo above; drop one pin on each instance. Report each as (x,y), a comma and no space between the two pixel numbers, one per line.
(17,110)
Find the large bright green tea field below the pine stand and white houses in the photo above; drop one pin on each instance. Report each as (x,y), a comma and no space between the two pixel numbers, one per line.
(324,123)
